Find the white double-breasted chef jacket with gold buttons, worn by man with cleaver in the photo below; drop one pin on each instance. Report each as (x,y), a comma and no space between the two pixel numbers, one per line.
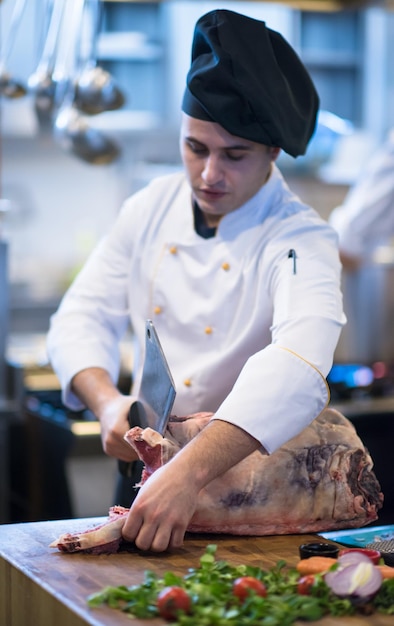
(249,331)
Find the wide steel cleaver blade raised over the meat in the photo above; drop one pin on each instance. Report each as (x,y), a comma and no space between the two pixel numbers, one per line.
(156,396)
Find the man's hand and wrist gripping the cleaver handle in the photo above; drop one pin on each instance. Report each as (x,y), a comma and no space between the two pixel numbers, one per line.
(95,389)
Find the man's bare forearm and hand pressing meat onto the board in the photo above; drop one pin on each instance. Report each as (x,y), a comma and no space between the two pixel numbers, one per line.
(160,514)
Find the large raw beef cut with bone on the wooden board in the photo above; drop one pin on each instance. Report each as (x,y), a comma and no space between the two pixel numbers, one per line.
(320,480)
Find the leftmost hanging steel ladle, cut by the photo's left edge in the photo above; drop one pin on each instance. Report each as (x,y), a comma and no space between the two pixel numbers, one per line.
(9,86)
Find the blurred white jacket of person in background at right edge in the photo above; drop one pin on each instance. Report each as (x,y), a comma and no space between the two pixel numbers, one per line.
(366,217)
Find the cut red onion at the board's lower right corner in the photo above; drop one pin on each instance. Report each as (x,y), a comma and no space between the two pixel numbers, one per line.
(356,578)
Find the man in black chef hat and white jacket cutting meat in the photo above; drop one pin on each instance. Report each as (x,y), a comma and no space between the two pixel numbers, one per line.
(240,277)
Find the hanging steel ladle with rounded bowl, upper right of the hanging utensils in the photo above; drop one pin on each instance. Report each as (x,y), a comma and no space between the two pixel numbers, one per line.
(96,90)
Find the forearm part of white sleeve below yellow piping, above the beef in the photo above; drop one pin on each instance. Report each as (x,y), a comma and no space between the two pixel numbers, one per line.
(277,395)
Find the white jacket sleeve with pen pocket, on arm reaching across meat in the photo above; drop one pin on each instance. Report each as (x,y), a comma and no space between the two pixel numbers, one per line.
(282,388)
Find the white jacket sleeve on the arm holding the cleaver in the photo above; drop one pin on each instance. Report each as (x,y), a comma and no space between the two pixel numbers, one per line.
(93,315)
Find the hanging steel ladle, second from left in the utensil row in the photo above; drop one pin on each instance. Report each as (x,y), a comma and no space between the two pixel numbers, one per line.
(41,83)
